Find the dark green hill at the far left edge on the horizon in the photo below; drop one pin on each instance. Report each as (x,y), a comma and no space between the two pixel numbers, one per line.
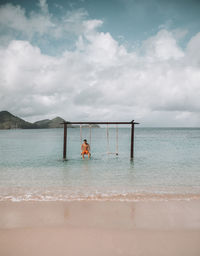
(9,121)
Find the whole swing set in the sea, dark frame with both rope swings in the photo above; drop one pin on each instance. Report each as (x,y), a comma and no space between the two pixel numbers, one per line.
(132,123)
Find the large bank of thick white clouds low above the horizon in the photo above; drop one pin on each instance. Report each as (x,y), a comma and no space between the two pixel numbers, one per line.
(157,84)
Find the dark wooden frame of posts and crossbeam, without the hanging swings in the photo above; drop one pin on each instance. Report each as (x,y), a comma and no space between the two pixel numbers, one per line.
(132,123)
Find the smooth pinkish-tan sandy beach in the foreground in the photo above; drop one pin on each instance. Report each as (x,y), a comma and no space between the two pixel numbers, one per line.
(100,228)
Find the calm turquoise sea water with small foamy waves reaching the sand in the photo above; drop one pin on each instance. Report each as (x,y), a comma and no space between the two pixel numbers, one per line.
(166,162)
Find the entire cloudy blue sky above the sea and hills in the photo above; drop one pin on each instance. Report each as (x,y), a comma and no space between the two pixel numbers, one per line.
(101,60)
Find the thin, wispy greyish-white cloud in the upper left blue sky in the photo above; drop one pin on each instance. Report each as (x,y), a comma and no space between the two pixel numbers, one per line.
(15,22)
